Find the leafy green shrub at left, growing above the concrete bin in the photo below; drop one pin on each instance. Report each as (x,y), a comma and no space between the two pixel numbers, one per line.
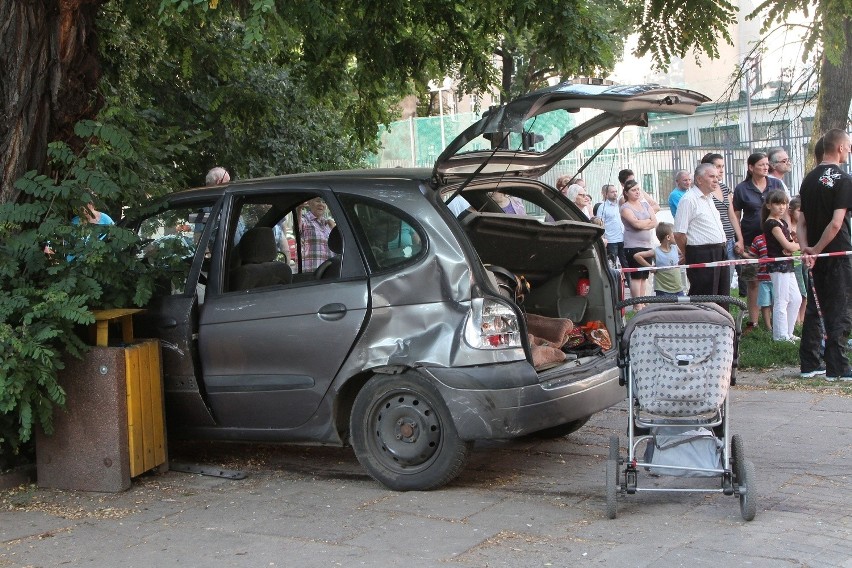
(47,294)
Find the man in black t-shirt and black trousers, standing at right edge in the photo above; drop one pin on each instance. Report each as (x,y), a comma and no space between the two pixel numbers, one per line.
(826,194)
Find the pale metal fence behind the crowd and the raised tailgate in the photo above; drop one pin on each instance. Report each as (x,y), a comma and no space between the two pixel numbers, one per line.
(418,142)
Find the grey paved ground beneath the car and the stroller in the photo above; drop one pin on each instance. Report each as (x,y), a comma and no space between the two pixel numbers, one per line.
(522,503)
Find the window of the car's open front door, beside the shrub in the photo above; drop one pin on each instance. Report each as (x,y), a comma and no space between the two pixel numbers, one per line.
(169,241)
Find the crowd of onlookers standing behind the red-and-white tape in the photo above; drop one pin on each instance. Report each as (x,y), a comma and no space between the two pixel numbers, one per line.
(757,220)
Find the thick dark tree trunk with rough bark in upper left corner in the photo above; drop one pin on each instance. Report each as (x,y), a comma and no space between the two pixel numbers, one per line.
(48,80)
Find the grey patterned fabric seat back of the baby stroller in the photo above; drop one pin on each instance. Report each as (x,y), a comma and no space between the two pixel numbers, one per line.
(681,356)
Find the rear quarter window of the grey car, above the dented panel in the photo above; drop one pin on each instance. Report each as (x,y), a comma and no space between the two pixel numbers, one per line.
(393,239)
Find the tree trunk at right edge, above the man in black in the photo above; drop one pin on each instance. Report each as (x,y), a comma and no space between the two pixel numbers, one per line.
(835,92)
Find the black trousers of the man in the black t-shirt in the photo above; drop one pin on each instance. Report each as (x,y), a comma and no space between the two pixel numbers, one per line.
(832,278)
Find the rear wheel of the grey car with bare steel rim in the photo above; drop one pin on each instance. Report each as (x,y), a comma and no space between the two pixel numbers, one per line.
(403,434)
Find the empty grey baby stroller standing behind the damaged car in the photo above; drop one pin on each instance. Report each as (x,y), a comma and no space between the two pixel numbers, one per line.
(677,357)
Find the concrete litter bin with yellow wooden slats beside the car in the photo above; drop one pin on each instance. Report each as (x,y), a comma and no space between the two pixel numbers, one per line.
(93,444)
